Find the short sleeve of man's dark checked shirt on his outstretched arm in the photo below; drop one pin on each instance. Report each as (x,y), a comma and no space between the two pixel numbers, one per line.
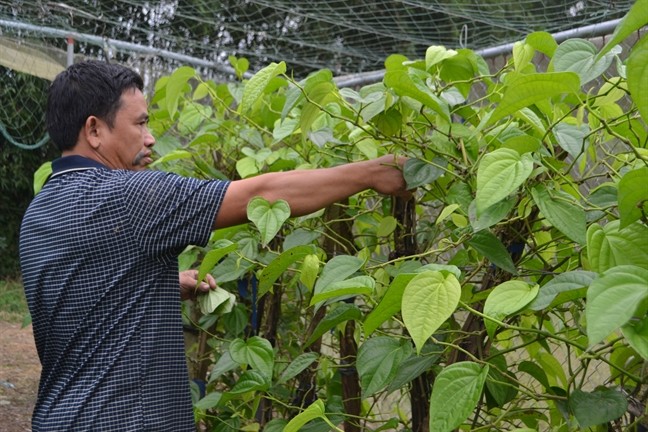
(168,212)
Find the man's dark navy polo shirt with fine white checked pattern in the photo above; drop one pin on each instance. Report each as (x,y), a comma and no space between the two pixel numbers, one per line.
(98,250)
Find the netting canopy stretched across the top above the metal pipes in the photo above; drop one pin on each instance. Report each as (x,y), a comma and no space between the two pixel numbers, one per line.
(345,36)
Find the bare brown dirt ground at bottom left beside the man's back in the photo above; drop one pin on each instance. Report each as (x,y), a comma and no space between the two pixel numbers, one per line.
(19,373)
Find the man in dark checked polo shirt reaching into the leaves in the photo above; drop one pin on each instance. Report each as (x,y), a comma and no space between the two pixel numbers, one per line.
(99,247)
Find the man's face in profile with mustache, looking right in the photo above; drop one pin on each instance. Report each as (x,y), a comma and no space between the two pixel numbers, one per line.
(127,145)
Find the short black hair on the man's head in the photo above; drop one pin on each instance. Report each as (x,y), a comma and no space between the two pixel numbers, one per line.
(89,88)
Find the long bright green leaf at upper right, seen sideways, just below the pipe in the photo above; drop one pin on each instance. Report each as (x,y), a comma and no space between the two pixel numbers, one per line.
(526,90)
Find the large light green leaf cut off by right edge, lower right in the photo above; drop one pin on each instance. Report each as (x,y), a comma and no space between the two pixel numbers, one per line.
(612,300)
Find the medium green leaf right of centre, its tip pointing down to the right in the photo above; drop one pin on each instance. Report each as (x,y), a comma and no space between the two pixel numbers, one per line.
(558,208)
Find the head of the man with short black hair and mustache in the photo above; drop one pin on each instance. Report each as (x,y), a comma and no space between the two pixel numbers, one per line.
(98,110)
